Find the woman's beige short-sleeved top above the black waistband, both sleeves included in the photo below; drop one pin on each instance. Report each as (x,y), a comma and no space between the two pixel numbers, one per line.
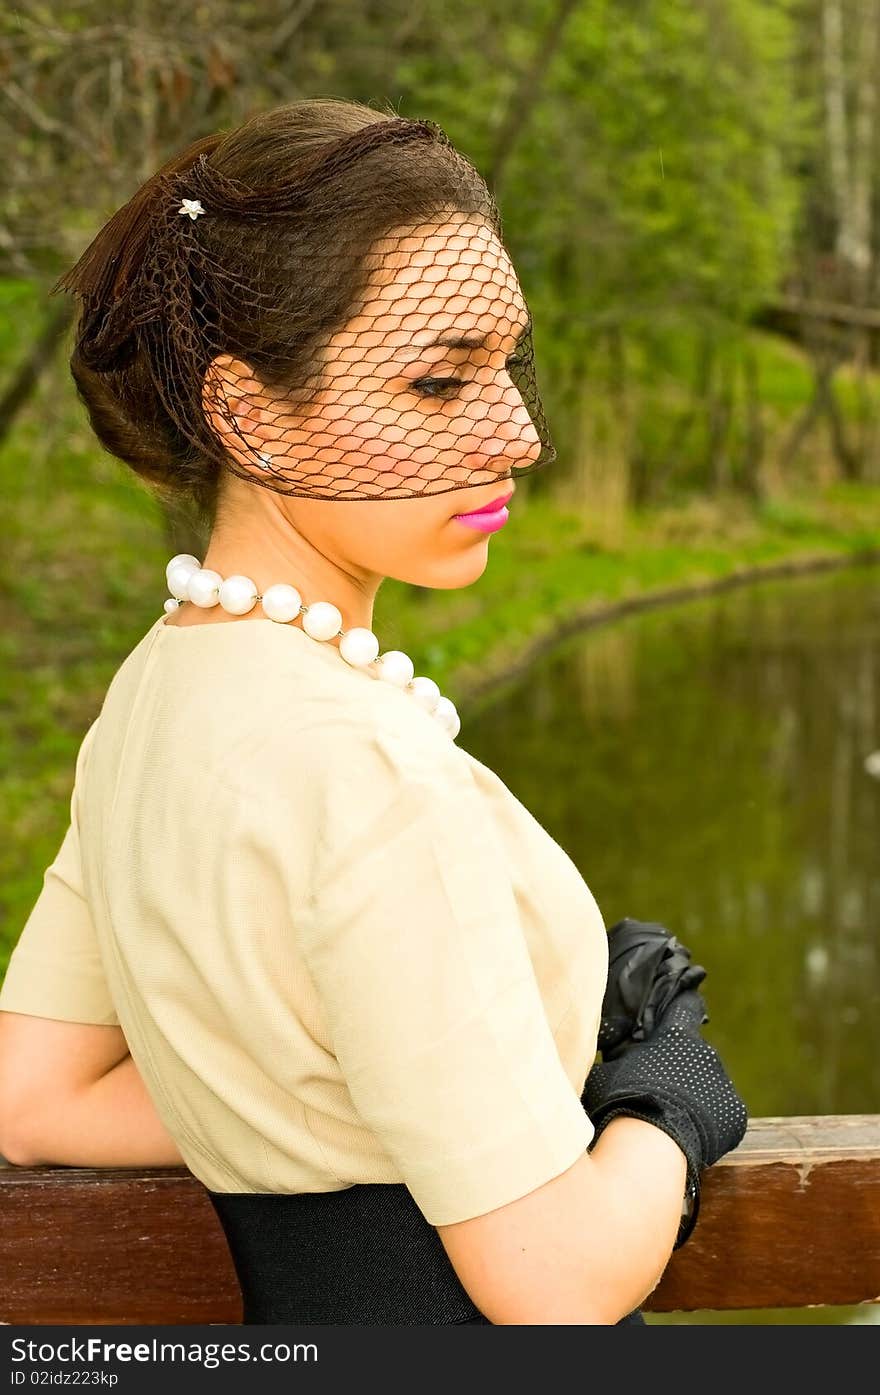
(340,948)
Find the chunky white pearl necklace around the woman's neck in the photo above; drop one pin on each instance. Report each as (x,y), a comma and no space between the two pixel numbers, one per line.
(189,581)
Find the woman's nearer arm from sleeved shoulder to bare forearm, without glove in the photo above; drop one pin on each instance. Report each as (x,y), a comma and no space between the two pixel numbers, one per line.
(415,938)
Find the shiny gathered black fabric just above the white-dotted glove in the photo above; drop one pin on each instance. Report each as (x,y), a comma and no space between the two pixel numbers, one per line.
(648,967)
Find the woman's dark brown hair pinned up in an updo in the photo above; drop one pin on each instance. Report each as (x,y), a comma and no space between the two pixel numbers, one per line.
(296,196)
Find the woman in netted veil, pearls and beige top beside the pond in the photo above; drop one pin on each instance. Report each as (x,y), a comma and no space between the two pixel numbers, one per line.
(361,984)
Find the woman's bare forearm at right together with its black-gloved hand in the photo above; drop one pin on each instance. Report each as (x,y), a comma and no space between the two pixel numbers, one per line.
(592,1245)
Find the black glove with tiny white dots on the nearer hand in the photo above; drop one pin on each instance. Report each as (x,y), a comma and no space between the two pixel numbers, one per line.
(674,1080)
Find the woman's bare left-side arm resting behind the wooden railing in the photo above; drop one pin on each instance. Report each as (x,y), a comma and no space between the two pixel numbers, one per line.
(72,1094)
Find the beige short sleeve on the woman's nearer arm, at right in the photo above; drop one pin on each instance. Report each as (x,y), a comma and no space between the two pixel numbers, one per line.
(418,951)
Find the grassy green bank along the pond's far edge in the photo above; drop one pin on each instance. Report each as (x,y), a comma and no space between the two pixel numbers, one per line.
(552,574)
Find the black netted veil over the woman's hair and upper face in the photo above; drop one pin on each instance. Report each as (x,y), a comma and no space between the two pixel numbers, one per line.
(425,386)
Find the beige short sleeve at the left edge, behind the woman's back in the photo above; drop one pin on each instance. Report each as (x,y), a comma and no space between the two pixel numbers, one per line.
(55,969)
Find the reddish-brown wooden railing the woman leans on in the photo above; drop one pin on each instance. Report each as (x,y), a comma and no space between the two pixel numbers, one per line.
(791,1219)
